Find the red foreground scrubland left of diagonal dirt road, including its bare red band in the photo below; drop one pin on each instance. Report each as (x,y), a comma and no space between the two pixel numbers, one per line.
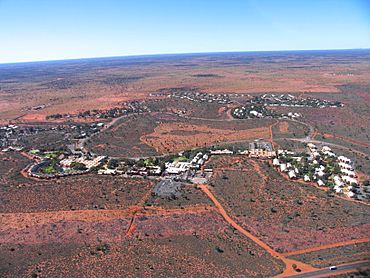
(165,247)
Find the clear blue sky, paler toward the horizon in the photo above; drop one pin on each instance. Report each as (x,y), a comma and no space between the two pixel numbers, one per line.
(39,30)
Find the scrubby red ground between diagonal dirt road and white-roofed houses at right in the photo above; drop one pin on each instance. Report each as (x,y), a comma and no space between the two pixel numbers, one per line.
(283,213)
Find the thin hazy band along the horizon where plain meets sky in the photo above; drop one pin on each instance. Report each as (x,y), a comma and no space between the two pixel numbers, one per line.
(178,53)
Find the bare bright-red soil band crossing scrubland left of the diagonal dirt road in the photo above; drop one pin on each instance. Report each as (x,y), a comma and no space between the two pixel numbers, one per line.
(64,226)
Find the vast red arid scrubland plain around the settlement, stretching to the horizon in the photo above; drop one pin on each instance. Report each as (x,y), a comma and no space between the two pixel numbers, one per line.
(246,219)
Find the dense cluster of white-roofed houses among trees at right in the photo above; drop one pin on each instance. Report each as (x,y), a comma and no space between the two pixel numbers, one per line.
(321,166)
